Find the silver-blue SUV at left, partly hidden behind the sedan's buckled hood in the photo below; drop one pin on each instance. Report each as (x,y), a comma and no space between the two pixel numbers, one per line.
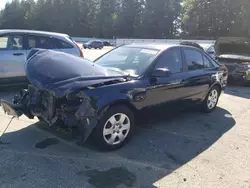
(15,46)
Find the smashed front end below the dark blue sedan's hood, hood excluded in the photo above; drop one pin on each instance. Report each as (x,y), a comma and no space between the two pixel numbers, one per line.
(74,111)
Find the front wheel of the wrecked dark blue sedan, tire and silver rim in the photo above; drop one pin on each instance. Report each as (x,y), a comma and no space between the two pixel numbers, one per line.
(101,140)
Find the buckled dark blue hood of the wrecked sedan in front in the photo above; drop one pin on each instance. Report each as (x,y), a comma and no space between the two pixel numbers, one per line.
(60,73)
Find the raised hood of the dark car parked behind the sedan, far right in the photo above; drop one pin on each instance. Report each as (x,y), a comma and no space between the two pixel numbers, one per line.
(232,46)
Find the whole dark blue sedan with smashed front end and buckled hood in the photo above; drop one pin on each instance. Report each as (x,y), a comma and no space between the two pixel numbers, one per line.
(102,98)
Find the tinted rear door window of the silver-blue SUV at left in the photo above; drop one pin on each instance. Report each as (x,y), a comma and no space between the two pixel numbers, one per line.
(41,42)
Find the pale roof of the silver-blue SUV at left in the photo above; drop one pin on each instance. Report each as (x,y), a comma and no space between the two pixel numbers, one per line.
(32,32)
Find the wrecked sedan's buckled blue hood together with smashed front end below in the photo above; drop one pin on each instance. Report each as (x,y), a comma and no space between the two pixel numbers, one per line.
(57,95)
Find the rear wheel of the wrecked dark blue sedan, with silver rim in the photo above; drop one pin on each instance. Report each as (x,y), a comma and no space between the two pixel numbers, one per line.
(210,102)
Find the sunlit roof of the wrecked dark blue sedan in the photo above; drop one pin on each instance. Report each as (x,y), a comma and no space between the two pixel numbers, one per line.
(161,47)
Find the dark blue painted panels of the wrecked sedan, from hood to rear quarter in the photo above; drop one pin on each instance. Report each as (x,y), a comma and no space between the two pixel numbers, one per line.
(46,71)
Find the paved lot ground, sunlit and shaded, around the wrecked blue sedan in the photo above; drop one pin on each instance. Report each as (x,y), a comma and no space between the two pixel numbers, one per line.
(179,149)
